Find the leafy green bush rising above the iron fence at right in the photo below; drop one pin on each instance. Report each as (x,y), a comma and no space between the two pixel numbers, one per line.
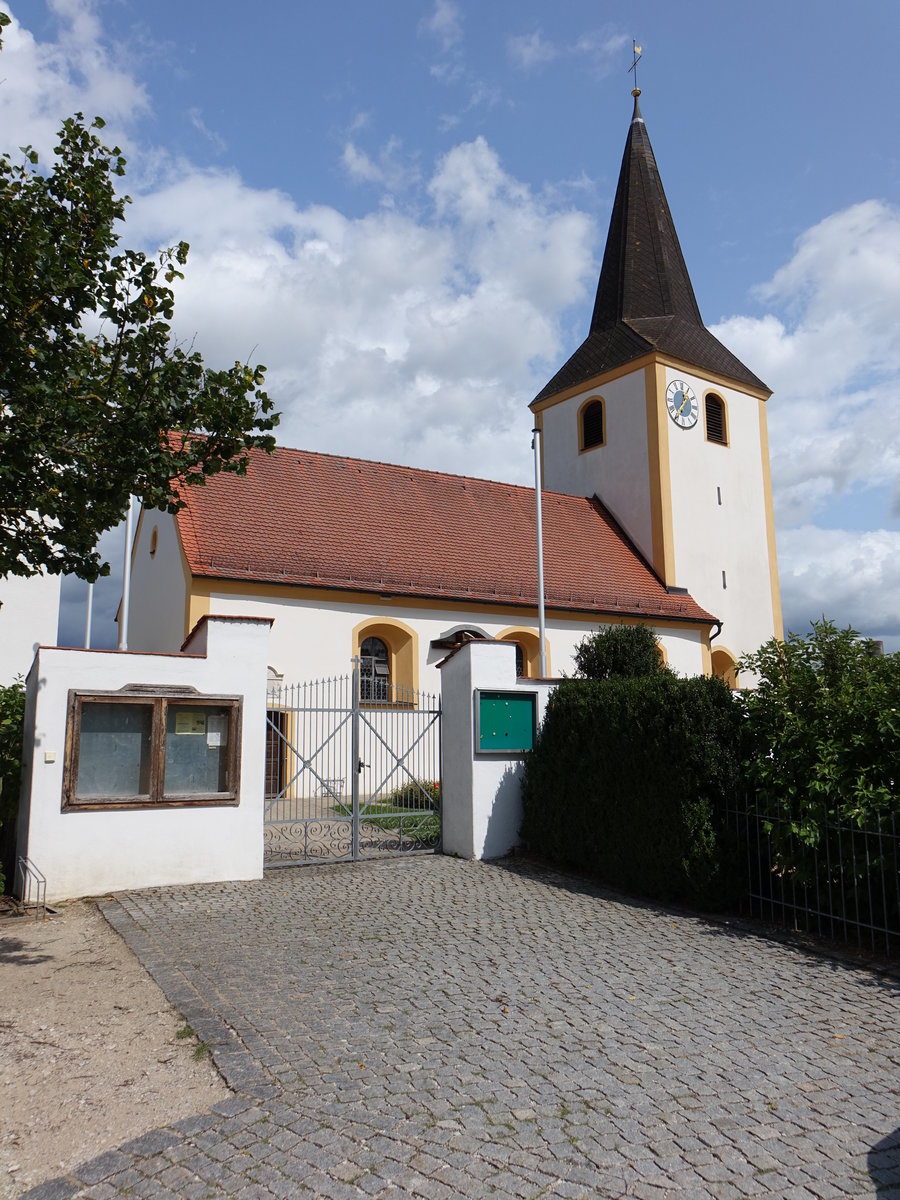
(825,728)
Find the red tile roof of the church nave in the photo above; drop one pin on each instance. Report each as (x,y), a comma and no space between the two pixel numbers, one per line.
(316,520)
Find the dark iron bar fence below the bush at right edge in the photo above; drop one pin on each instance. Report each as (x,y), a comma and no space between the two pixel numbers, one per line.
(842,884)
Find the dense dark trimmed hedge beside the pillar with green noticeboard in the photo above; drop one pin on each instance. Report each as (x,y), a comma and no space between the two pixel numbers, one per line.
(628,782)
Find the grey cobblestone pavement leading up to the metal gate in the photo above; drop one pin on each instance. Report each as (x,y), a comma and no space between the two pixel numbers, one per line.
(431,1028)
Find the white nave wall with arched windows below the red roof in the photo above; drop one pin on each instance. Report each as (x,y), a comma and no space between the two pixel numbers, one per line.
(314,640)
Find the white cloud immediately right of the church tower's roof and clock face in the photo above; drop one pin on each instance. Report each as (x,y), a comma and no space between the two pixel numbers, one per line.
(832,355)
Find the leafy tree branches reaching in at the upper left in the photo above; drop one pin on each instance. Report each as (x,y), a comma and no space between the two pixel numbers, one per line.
(97,400)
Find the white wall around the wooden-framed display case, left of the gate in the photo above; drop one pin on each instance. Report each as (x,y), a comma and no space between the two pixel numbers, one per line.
(85,854)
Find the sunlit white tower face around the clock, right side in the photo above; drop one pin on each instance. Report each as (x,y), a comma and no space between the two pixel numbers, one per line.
(711,538)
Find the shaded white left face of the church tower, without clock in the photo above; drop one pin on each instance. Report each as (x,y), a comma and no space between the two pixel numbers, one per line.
(619,472)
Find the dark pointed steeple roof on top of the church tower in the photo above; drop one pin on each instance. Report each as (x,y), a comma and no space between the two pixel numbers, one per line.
(645,301)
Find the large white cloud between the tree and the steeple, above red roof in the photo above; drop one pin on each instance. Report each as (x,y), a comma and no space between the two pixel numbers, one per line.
(413,337)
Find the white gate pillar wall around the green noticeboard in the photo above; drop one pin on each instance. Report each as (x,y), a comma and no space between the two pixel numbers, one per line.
(482,794)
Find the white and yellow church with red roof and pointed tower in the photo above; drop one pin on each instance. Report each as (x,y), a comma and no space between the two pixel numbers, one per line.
(657,509)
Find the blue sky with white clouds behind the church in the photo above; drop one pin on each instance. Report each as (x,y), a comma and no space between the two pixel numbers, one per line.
(400,208)
